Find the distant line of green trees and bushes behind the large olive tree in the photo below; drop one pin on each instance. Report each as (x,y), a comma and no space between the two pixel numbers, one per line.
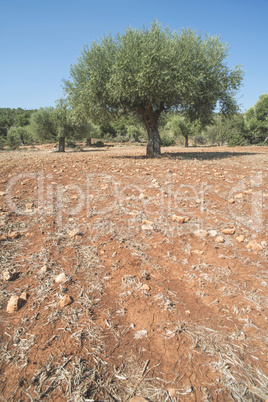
(20,127)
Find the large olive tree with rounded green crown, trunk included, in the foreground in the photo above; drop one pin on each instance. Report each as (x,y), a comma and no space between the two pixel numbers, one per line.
(151,70)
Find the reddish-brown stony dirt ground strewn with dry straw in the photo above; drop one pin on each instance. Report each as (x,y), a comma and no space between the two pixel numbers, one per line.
(165,264)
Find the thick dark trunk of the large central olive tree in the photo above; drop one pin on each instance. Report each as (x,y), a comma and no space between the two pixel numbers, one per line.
(150,119)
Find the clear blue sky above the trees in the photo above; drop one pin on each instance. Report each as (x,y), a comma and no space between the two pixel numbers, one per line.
(40,39)
